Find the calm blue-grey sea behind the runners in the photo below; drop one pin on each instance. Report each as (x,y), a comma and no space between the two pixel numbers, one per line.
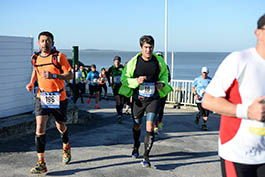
(187,65)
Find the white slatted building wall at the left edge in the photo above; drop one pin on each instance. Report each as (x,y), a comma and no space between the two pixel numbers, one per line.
(15,73)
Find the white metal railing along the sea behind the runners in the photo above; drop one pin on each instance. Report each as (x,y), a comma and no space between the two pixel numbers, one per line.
(182,92)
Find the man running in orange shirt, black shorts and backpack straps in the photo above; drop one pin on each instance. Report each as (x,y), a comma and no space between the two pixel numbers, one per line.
(51,68)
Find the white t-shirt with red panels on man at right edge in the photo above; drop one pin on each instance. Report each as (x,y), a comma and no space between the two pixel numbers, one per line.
(240,79)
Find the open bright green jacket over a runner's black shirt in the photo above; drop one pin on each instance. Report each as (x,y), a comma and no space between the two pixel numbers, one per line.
(129,82)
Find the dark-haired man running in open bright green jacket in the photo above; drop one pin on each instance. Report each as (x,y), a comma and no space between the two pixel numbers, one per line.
(145,78)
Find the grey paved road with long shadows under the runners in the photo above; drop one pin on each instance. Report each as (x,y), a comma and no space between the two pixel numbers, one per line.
(102,148)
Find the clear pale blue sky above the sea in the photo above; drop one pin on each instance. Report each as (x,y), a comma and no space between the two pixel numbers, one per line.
(193,25)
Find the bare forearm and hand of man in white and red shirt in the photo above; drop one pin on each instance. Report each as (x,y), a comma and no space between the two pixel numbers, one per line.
(256,111)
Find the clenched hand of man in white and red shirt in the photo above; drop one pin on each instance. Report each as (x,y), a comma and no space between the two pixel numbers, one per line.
(256,111)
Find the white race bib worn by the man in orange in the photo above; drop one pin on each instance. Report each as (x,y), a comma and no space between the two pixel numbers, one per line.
(50,100)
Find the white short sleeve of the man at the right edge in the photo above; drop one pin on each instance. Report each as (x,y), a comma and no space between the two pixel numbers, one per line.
(224,76)
